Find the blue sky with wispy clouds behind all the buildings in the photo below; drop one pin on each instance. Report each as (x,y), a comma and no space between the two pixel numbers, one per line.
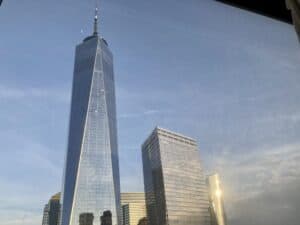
(226,77)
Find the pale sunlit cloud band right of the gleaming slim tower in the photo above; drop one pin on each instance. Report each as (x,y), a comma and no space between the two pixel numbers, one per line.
(255,172)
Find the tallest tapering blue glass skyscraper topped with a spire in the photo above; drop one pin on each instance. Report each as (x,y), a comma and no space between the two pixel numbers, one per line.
(91,179)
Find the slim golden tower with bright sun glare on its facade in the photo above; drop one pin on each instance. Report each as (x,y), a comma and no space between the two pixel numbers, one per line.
(217,211)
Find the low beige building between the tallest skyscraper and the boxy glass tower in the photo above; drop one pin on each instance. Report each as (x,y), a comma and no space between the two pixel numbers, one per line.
(133,207)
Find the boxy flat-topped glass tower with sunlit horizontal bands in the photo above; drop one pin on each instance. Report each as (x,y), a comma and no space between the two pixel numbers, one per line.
(175,188)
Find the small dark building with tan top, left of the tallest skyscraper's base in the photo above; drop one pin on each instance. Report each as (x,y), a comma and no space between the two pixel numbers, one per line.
(51,214)
